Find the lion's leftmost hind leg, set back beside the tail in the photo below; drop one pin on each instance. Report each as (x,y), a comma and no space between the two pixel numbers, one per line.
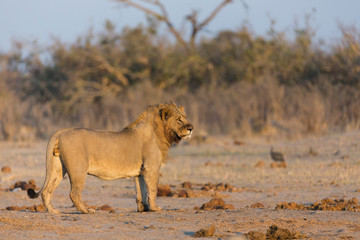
(56,175)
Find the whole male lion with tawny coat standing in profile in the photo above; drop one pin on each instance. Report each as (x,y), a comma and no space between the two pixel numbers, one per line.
(137,151)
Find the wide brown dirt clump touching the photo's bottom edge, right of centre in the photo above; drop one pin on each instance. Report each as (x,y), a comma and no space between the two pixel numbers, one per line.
(274,232)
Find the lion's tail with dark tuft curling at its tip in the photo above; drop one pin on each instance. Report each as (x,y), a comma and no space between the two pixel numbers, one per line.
(52,151)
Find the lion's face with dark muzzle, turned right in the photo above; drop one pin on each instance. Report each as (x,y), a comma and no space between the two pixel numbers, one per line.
(176,124)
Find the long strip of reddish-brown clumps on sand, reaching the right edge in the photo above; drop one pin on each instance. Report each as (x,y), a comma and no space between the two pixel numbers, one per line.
(326,204)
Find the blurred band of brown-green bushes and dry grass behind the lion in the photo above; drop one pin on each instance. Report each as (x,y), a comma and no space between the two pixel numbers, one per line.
(235,83)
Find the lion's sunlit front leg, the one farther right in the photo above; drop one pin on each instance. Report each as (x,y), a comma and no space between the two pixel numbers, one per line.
(152,180)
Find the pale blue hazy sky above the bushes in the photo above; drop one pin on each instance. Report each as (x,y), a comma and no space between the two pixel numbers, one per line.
(44,20)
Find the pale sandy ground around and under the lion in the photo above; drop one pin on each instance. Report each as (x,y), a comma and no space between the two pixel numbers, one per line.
(330,170)
